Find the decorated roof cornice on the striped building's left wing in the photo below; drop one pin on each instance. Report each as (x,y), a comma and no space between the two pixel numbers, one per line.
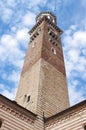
(13,108)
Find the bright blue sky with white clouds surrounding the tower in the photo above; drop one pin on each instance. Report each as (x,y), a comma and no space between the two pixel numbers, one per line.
(18,16)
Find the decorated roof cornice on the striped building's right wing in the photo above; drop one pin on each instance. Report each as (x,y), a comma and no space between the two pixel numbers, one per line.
(65,115)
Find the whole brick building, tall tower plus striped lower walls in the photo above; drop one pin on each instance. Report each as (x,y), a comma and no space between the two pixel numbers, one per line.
(42,101)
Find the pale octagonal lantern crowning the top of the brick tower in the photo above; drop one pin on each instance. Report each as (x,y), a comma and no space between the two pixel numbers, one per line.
(47,14)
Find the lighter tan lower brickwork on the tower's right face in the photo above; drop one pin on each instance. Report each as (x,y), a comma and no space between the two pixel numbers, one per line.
(52,94)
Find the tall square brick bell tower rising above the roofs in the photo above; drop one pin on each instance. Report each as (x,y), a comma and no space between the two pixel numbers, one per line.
(42,87)
